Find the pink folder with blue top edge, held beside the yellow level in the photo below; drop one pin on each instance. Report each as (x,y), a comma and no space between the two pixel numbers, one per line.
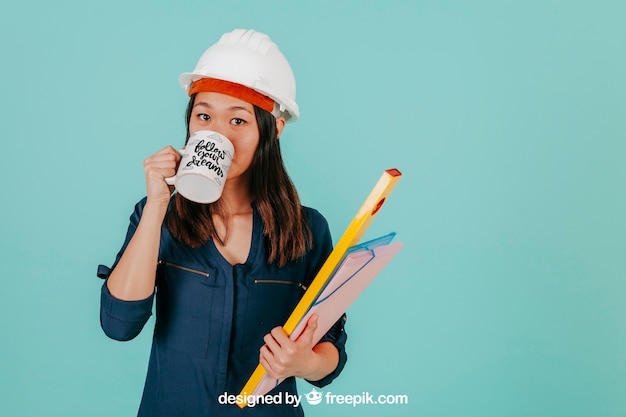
(356,271)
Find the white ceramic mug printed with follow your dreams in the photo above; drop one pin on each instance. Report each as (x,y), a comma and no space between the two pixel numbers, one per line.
(203,167)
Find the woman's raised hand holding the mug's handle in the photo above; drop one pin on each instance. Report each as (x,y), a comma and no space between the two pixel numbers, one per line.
(157,167)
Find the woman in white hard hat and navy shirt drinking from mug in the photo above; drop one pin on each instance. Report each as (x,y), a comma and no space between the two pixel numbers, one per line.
(228,274)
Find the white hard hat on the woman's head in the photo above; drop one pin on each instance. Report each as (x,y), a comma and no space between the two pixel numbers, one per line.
(251,59)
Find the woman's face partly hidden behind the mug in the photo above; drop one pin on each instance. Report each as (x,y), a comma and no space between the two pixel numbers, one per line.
(234,119)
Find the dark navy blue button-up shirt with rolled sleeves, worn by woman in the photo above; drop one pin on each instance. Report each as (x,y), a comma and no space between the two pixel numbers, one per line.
(211,318)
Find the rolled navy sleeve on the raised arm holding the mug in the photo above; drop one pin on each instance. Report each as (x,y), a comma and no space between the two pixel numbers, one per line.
(123,320)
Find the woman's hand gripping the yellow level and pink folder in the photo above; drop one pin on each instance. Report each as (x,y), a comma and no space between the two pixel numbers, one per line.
(282,357)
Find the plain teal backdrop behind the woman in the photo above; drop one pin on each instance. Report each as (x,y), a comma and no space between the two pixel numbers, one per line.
(507,119)
